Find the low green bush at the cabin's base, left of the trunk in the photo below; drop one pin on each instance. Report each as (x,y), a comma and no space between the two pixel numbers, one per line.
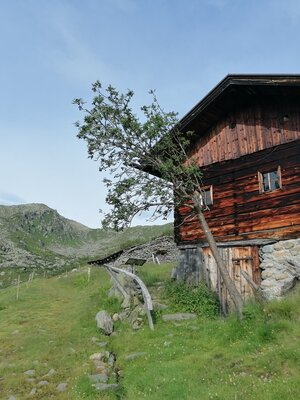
(198,300)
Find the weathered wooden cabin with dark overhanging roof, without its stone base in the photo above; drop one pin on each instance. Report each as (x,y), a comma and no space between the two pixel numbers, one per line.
(247,141)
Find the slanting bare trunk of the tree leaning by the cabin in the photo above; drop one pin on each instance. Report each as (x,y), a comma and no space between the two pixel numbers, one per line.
(228,282)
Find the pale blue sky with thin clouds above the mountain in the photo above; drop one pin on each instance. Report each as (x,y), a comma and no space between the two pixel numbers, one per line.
(51,51)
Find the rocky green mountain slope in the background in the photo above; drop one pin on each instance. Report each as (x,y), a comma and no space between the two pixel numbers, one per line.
(36,236)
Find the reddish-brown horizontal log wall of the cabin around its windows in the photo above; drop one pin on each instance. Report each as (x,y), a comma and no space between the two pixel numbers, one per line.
(239,210)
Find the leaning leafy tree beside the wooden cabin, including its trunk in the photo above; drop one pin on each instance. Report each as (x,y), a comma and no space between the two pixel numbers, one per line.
(148,164)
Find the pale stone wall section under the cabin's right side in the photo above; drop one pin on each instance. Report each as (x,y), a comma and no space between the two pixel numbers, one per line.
(280,264)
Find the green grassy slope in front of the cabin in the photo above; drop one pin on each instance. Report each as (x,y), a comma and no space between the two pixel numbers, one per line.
(52,324)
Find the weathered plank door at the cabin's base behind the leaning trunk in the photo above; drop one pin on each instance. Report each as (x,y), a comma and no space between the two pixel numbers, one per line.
(236,259)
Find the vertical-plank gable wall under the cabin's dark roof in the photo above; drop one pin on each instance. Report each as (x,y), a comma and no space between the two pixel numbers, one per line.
(247,131)
